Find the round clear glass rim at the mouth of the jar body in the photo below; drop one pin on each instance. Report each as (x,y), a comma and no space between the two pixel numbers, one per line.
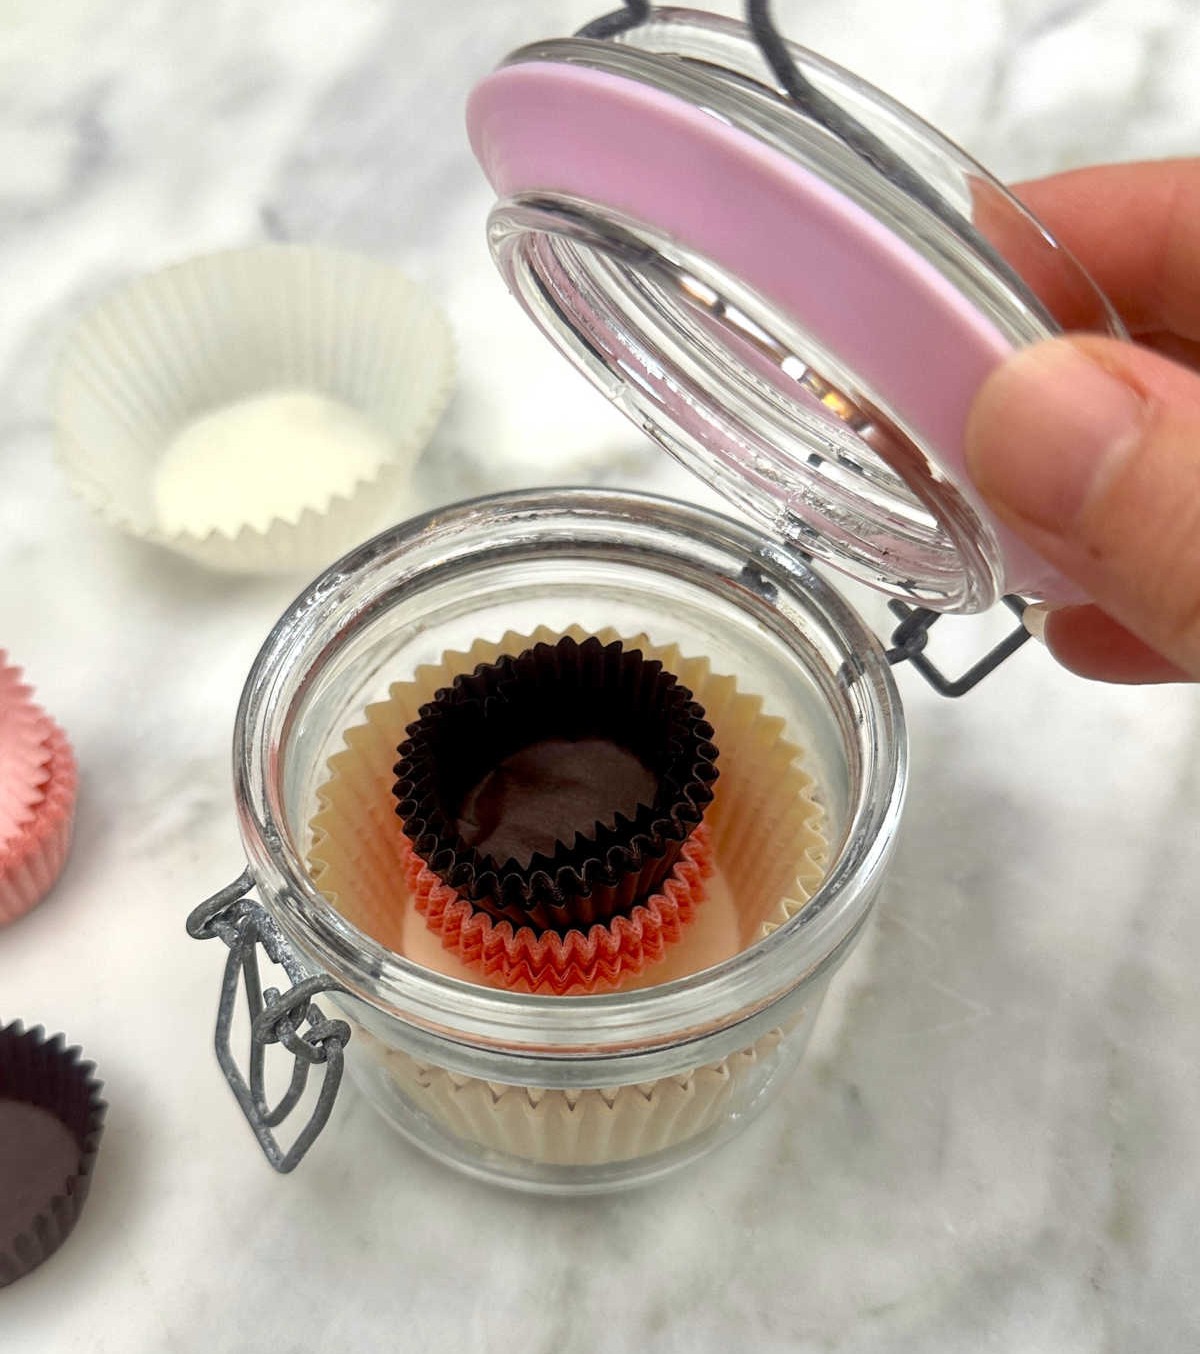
(300,647)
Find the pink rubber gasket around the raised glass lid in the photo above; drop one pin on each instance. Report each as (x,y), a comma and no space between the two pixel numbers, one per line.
(752,211)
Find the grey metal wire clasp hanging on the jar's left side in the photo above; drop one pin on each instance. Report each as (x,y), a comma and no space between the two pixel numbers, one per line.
(276,1019)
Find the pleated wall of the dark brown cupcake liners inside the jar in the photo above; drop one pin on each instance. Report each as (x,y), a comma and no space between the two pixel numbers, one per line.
(567,691)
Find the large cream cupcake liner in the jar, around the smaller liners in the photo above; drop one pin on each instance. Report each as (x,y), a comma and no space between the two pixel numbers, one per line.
(769,839)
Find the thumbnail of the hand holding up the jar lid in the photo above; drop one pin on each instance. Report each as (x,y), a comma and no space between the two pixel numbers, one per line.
(1048,430)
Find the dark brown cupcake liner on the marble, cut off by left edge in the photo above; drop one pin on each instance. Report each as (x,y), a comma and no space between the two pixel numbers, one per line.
(44,1074)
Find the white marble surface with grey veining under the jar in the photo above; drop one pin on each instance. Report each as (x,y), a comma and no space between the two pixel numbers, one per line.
(996,1143)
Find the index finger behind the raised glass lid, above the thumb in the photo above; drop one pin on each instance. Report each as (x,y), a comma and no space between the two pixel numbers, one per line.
(1137,230)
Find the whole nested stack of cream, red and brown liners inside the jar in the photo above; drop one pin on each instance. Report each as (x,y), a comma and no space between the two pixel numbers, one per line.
(565,814)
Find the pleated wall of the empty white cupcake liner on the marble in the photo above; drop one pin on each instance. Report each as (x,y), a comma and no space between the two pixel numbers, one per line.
(170,347)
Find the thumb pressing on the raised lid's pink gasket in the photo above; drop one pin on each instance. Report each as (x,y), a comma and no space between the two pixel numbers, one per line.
(1091,452)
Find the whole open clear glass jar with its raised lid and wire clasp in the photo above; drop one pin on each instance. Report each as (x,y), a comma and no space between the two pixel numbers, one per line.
(800,301)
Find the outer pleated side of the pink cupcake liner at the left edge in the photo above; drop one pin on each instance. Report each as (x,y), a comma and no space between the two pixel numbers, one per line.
(33,858)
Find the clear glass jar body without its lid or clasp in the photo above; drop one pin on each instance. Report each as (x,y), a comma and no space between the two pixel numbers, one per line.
(582,1093)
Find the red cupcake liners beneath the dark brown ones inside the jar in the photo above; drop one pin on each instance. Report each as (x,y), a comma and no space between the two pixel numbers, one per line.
(582,961)
